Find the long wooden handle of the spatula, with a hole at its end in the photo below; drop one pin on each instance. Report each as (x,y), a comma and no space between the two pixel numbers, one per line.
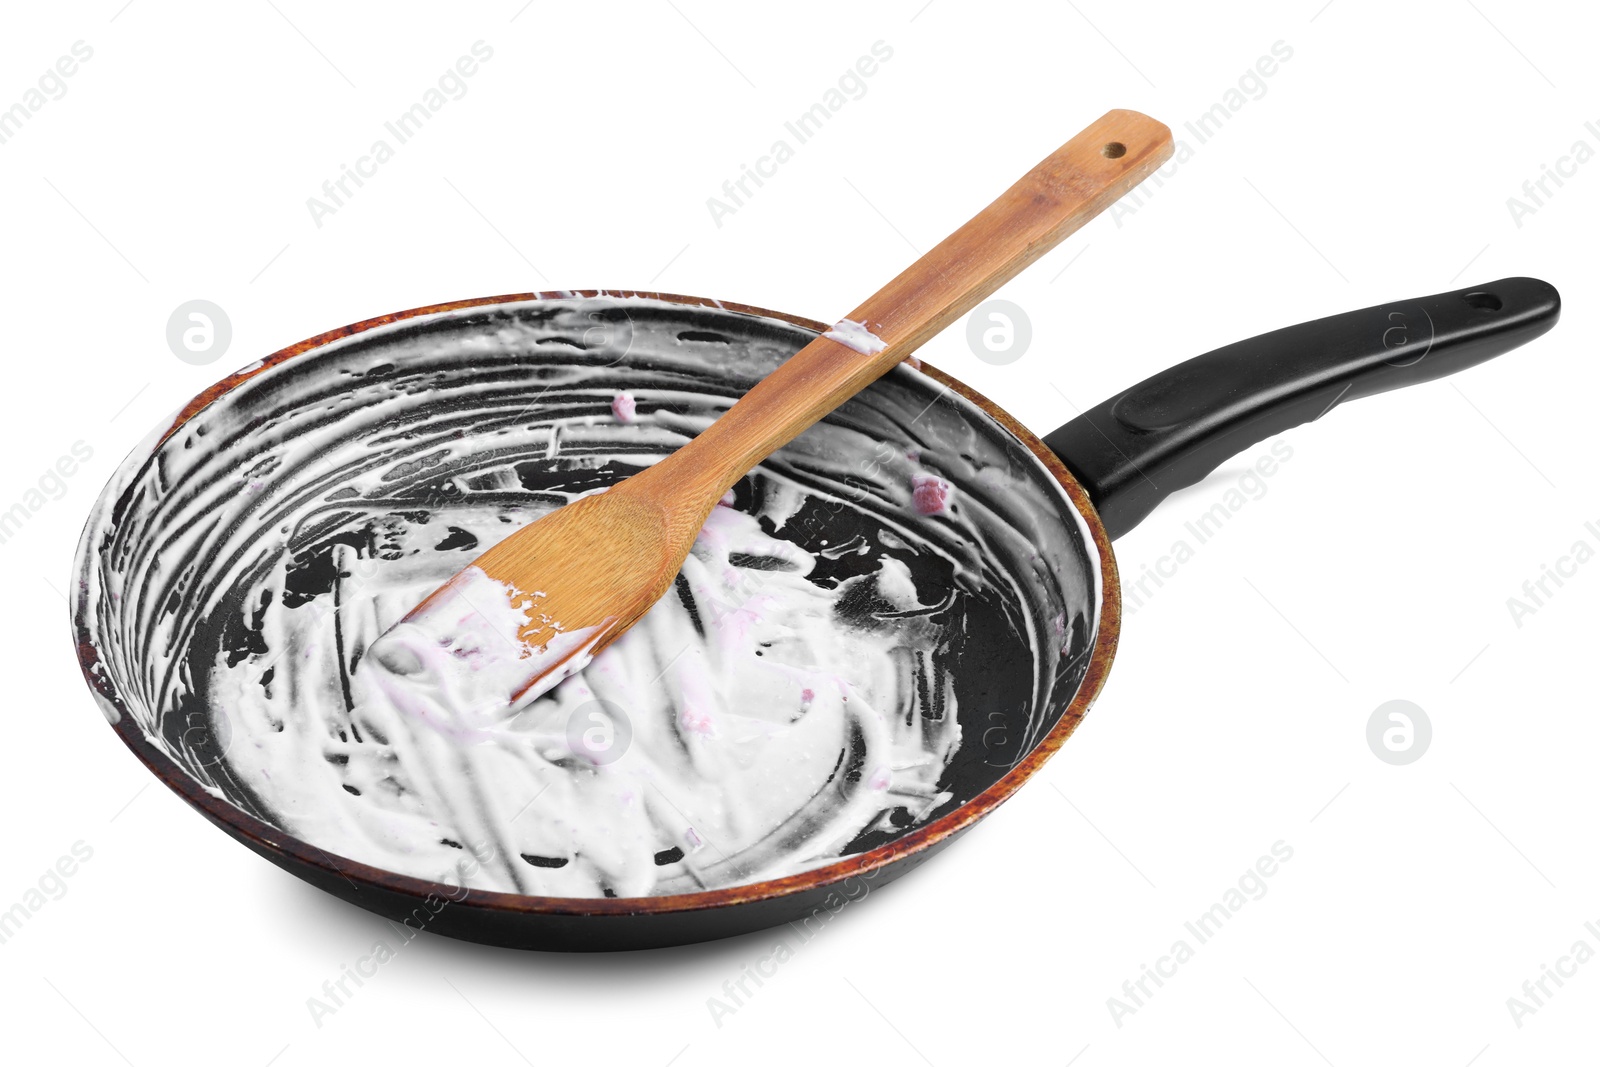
(1074,185)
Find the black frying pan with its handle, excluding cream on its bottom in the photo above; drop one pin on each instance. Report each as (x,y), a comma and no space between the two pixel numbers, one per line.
(159,564)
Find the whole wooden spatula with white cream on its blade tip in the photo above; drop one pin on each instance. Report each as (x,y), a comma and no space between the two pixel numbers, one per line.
(588,572)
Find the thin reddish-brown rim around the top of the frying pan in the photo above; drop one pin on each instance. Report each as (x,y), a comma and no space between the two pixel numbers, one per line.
(270,839)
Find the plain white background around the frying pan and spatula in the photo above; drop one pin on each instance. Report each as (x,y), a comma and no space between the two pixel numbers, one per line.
(1378,564)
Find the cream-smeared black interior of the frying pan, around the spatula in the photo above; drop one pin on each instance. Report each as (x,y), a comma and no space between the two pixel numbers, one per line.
(231,577)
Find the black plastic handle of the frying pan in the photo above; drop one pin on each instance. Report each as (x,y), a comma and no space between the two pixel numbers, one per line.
(1174,430)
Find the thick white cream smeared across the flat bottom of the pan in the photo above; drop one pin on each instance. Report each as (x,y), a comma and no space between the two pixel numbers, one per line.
(745,722)
